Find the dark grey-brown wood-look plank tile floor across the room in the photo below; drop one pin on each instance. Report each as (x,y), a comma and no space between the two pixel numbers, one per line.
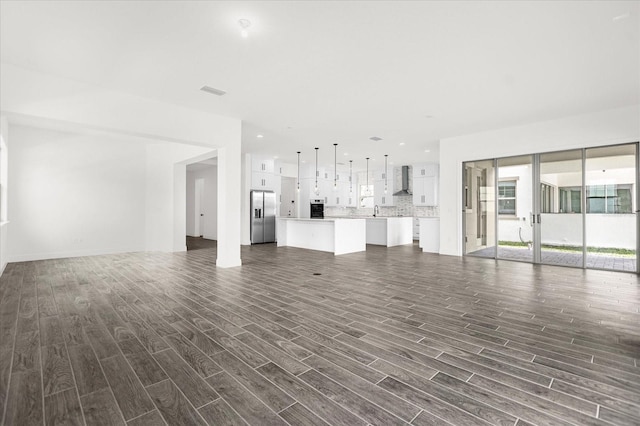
(387,336)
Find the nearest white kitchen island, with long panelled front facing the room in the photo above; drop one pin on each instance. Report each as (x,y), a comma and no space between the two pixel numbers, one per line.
(335,235)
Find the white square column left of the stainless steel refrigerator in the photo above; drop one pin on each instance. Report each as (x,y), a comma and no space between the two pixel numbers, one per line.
(229,210)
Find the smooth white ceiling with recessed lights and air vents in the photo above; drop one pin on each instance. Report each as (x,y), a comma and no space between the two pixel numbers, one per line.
(317,73)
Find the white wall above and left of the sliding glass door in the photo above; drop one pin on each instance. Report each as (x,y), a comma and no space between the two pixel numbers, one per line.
(602,128)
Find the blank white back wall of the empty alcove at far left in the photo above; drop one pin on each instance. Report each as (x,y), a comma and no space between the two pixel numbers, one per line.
(74,195)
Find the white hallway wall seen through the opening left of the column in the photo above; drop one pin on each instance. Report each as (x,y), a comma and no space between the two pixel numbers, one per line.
(209,202)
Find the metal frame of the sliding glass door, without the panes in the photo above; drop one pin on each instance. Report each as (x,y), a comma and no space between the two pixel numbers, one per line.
(536,205)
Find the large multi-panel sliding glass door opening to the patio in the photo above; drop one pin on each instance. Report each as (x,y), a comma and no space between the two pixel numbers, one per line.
(572,208)
